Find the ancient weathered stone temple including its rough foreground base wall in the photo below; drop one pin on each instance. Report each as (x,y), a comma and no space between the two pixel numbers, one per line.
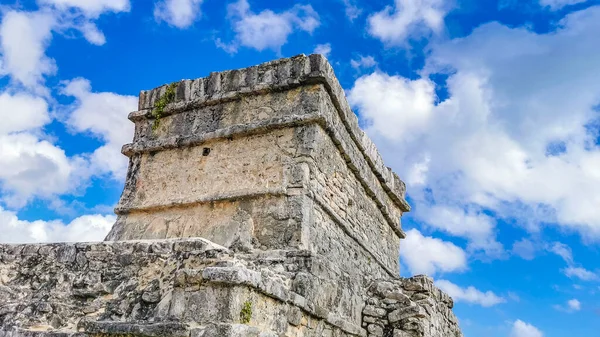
(254,206)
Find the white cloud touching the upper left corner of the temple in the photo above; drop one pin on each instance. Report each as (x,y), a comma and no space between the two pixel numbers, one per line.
(104,115)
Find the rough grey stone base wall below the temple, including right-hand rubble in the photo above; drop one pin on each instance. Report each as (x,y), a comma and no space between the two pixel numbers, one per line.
(193,287)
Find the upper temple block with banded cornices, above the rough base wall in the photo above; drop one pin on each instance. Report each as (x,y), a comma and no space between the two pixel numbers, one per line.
(246,158)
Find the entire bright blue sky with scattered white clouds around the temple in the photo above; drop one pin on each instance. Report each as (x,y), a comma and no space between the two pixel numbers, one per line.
(489,110)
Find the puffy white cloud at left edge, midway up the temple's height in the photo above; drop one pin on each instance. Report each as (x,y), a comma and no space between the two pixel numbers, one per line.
(30,166)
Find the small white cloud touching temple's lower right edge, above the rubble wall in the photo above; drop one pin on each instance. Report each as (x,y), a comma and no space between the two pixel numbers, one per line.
(427,255)
